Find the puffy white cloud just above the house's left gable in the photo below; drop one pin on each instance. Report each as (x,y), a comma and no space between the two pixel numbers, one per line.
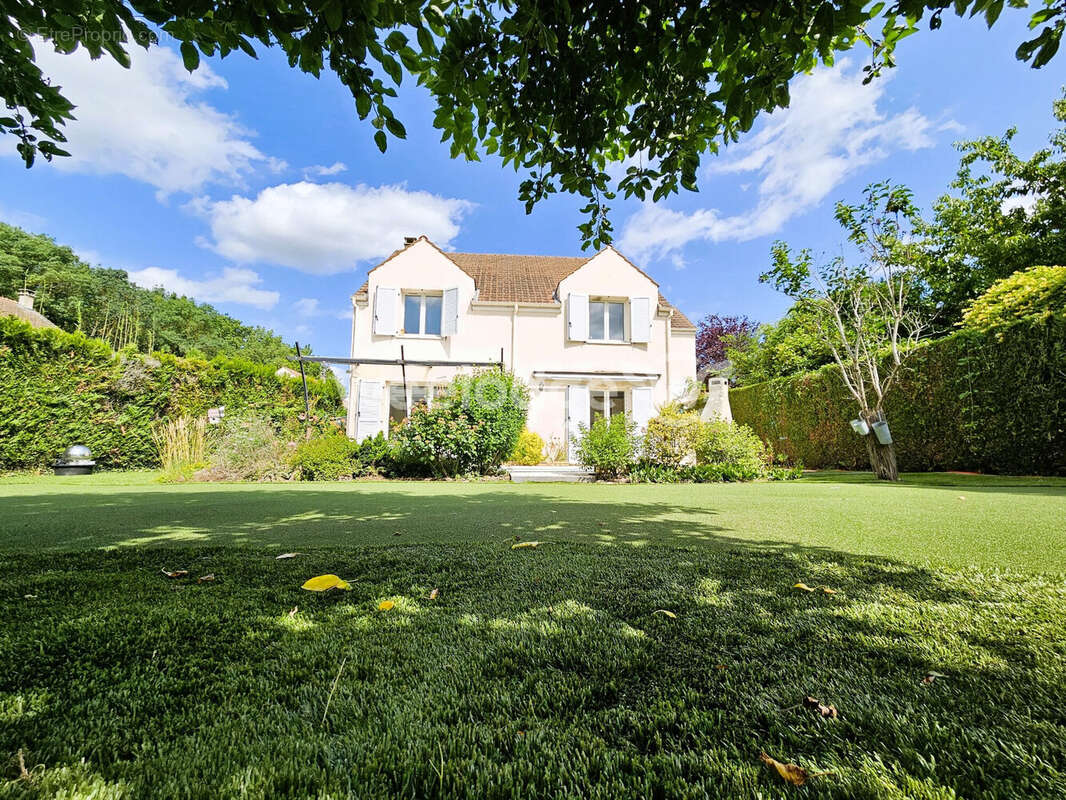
(325,229)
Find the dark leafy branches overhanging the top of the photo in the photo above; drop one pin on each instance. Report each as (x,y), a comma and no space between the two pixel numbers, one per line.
(558,90)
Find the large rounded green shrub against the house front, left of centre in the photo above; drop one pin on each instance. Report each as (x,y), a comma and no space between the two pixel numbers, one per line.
(472,428)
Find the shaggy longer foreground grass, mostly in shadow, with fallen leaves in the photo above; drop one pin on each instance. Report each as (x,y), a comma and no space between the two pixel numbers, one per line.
(547,673)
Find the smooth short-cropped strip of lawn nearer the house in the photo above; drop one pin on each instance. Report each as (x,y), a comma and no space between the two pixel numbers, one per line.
(942,520)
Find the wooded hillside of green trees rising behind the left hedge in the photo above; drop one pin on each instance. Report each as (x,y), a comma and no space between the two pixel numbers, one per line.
(103,303)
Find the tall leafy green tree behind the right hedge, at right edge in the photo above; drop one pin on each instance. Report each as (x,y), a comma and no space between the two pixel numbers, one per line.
(1010,215)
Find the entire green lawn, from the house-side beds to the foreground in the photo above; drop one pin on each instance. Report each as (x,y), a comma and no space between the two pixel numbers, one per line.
(541,673)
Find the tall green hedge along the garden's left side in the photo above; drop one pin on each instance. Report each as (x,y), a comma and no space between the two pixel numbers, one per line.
(58,390)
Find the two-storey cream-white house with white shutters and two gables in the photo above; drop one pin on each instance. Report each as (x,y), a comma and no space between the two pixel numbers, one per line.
(589,337)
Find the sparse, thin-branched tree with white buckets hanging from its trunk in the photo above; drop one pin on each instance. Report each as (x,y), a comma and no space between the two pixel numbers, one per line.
(868,312)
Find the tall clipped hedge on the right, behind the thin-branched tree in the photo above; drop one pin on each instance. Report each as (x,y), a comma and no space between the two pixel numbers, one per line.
(984,402)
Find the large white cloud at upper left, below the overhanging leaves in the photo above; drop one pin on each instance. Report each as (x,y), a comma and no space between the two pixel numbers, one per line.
(148,122)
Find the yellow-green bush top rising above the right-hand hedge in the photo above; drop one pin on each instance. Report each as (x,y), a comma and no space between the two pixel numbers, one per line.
(1032,295)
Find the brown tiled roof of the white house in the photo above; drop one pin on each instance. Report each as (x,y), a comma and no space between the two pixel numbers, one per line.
(511,279)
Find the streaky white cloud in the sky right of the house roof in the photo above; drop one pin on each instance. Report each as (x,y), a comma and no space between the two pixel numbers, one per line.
(832,130)
